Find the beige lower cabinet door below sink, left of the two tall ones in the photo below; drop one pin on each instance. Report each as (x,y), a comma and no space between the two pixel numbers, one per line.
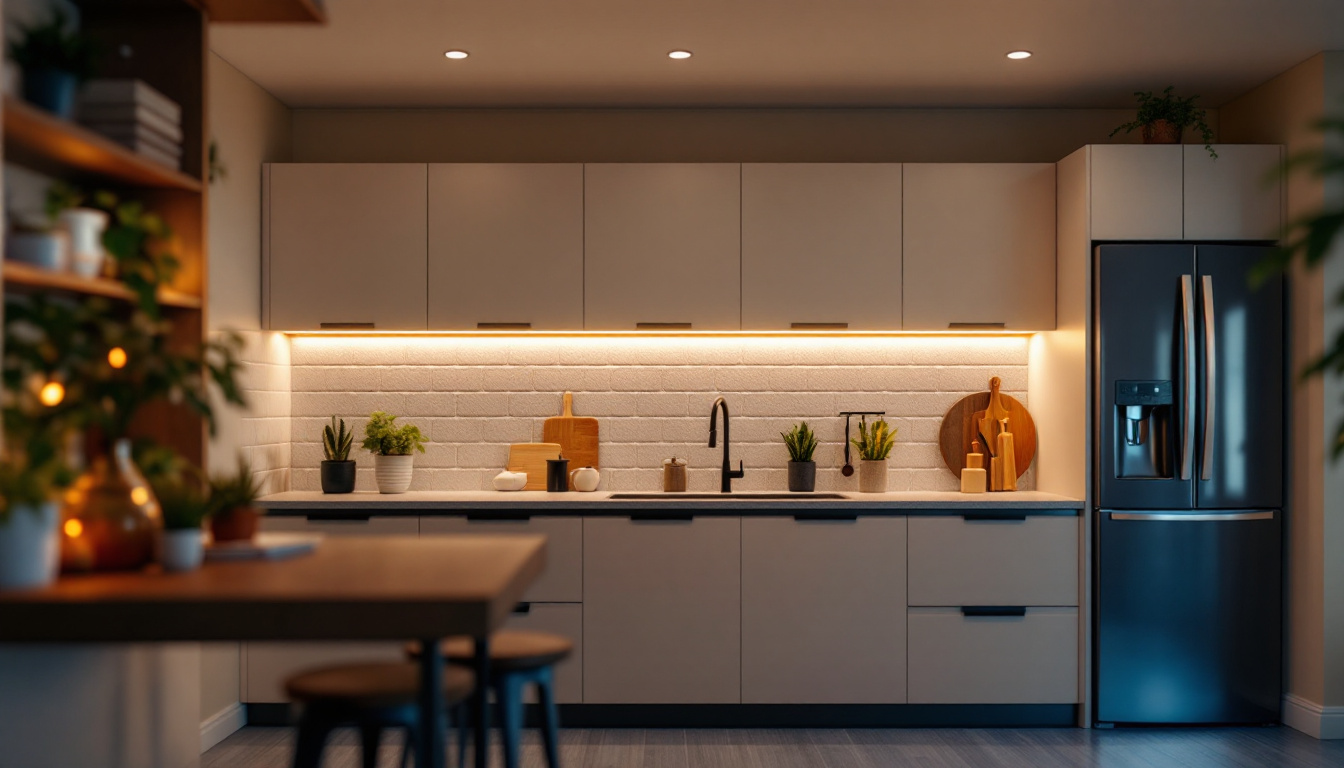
(662,611)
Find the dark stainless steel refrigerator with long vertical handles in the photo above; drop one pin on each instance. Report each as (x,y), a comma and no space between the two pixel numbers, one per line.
(1190,403)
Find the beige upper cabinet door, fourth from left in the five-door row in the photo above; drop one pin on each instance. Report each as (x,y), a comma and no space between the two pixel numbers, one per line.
(822,245)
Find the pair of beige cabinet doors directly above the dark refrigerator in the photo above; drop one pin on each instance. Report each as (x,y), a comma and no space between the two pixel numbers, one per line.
(1182,193)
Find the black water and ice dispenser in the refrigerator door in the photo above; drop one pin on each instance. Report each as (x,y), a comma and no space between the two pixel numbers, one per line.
(1146,430)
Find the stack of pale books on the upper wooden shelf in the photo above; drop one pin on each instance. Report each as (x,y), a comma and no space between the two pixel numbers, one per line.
(136,116)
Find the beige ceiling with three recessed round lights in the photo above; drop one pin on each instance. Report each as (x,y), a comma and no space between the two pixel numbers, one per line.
(779,53)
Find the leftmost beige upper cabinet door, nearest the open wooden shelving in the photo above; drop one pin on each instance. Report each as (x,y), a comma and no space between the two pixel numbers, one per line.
(346,245)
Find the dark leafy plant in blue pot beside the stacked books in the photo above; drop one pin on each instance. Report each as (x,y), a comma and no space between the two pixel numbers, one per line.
(56,60)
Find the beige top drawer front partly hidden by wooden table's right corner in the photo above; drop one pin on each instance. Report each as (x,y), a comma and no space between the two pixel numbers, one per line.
(562,582)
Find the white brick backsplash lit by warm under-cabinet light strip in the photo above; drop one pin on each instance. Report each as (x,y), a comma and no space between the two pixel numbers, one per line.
(476,396)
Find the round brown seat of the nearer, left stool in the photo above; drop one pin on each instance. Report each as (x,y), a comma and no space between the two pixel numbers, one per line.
(374,685)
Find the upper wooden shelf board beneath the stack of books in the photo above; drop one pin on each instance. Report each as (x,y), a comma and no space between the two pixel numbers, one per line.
(44,142)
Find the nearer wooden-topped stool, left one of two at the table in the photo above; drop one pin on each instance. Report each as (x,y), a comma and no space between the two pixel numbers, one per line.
(369,696)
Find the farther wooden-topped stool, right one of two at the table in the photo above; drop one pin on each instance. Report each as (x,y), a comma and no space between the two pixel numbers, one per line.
(518,658)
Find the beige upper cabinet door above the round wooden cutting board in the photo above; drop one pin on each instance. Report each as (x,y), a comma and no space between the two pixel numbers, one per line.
(980,245)
